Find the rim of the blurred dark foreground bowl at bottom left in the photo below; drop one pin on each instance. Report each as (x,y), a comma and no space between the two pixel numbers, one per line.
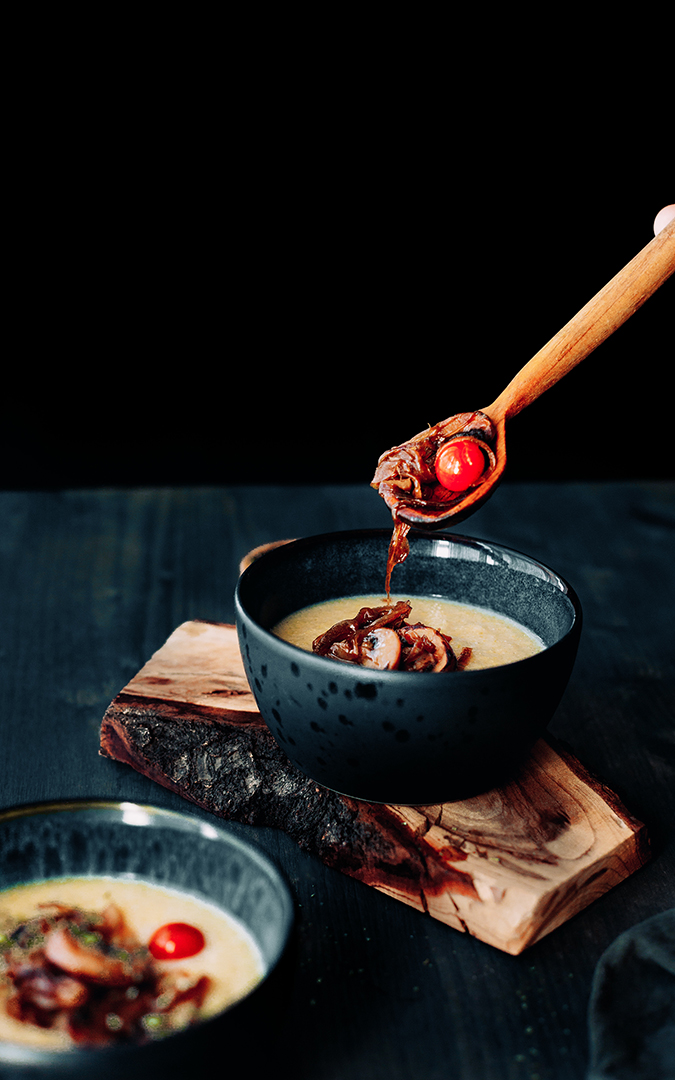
(145,814)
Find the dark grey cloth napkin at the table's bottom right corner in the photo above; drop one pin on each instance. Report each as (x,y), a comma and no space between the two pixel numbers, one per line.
(632,1006)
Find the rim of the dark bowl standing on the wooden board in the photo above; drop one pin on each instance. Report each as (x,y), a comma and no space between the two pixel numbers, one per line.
(327,665)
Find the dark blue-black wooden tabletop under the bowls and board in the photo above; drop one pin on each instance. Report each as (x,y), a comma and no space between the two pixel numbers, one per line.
(92,583)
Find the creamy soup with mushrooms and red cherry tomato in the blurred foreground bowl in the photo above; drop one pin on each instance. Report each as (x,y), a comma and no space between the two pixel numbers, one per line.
(84,963)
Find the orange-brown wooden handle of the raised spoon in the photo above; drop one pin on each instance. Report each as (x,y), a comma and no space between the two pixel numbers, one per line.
(601,317)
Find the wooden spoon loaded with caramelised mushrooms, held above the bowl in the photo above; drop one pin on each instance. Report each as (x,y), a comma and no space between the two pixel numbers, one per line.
(404,476)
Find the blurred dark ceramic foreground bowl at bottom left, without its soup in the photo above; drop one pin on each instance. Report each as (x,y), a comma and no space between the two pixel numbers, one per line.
(178,852)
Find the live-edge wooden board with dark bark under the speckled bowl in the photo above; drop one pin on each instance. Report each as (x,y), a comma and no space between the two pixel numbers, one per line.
(508,867)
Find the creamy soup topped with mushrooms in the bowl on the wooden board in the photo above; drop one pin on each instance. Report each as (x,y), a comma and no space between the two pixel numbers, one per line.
(418,634)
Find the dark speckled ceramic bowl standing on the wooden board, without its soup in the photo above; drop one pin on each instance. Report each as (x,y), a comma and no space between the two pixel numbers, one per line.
(397,737)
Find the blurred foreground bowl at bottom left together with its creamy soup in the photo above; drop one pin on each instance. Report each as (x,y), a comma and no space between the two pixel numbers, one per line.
(134,941)
